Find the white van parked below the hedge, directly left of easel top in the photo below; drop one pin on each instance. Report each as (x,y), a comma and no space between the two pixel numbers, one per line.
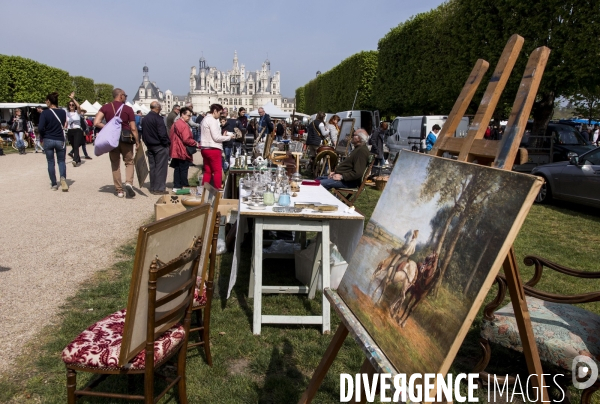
(409,132)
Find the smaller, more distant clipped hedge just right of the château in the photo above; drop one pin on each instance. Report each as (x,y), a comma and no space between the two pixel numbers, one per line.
(335,89)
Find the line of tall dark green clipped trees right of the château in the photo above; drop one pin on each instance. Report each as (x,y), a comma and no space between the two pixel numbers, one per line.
(422,64)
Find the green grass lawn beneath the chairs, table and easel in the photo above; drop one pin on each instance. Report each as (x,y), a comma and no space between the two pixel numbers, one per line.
(276,366)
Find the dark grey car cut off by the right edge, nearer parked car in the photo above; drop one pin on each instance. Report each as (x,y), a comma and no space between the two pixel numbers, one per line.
(577,180)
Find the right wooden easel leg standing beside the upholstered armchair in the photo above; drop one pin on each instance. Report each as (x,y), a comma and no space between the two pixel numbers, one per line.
(517,297)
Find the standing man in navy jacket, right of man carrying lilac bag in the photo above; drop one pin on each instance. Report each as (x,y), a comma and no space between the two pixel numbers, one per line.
(154,135)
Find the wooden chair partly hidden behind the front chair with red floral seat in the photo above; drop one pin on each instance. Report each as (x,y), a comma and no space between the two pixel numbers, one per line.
(203,295)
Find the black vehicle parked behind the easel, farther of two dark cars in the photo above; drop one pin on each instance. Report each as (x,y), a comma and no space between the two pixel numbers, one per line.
(559,143)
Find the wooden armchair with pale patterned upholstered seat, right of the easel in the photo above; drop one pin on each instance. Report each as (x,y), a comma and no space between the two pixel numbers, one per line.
(562,330)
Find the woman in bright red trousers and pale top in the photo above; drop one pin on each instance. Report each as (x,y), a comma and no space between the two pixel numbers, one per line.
(211,142)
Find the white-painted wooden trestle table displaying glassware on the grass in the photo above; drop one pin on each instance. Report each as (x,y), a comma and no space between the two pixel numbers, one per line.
(341,227)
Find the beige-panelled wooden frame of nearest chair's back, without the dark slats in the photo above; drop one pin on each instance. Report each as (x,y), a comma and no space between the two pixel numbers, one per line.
(164,238)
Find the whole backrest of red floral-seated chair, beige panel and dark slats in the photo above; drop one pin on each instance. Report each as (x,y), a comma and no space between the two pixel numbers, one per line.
(162,243)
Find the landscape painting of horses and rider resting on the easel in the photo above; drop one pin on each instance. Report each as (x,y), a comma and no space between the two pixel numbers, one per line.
(429,254)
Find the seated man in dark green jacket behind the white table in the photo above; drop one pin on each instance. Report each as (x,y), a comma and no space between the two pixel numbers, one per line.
(349,173)
